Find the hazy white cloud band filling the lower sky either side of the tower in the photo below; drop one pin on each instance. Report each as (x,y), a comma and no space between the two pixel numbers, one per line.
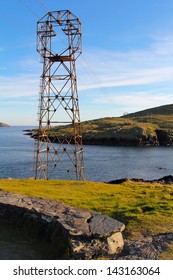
(115,81)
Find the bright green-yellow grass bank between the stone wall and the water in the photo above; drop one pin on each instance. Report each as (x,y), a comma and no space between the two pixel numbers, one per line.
(145,208)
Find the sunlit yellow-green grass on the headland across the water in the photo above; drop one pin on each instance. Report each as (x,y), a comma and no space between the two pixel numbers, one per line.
(128,129)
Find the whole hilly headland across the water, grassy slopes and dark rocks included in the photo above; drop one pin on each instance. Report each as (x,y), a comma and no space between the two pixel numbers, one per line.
(148,127)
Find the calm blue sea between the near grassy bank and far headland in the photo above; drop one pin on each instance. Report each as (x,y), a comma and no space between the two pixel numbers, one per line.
(102,163)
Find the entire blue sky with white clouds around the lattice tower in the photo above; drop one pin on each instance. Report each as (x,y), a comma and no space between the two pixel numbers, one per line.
(126,64)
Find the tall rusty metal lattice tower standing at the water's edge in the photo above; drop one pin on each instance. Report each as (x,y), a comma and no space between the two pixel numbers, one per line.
(59,44)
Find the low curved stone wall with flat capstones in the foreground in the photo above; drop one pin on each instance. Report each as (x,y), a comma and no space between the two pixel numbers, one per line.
(90,234)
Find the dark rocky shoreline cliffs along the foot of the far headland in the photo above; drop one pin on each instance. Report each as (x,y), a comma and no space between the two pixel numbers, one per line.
(131,136)
